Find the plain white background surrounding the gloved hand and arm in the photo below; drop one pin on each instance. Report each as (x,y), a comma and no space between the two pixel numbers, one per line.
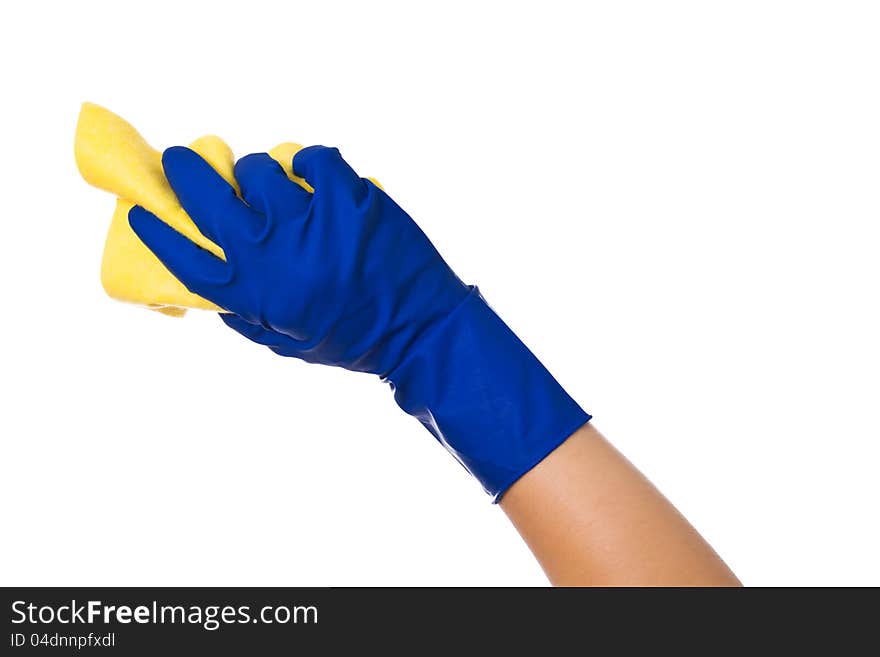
(674,204)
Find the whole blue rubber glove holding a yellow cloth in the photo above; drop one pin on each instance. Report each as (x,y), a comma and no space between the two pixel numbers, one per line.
(345,277)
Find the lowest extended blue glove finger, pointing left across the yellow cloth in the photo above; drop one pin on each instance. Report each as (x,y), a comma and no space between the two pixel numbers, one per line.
(200,271)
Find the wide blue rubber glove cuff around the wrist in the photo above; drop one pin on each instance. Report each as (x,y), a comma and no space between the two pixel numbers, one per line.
(479,390)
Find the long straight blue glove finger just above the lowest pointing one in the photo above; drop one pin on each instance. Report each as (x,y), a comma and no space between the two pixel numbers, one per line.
(208,199)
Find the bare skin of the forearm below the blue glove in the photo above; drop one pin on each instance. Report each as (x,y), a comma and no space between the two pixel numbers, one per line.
(592,519)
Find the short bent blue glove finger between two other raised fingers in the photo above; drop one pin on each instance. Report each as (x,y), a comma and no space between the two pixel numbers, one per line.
(265,186)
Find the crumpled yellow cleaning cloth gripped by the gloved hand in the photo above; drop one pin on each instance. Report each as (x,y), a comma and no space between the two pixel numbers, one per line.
(112,155)
